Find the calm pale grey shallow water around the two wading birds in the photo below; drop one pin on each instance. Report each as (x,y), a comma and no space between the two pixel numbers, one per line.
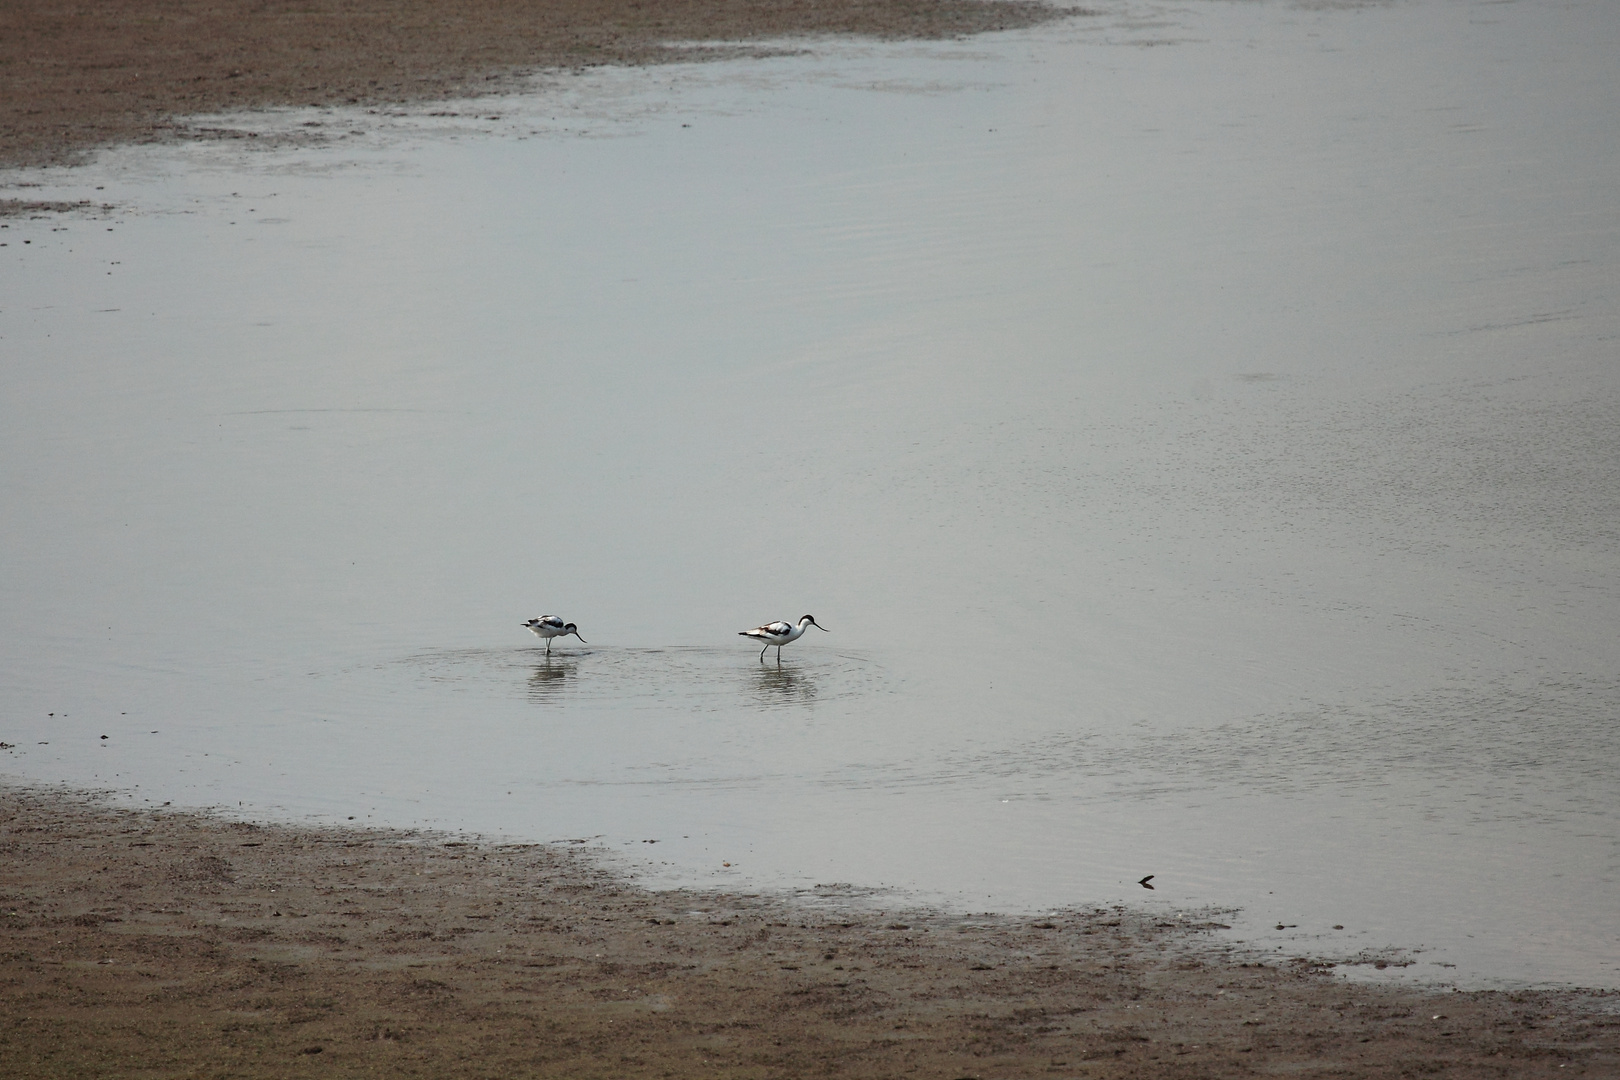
(1196,427)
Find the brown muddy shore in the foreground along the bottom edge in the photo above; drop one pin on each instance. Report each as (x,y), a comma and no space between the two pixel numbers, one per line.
(163,943)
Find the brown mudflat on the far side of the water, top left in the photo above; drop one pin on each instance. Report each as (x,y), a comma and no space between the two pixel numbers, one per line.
(130,72)
